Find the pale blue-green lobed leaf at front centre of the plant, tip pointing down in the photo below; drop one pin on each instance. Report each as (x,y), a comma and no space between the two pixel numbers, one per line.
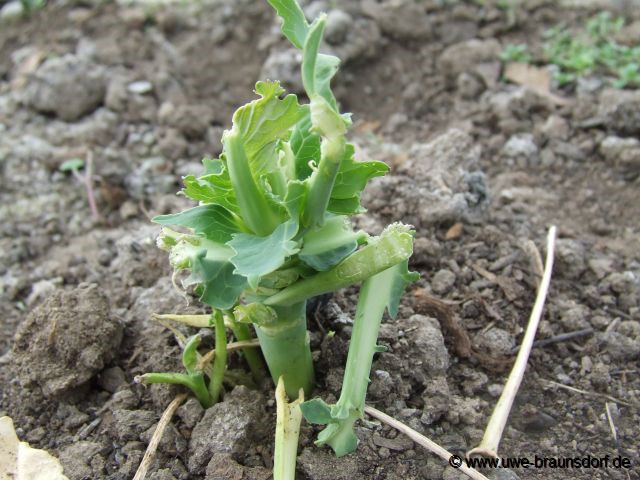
(257,256)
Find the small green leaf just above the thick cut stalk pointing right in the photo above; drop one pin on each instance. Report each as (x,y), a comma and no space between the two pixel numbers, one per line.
(325,246)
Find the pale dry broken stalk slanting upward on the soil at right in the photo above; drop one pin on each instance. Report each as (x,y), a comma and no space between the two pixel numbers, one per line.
(493,433)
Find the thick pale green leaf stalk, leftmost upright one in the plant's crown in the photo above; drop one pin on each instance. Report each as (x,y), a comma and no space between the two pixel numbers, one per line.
(259,215)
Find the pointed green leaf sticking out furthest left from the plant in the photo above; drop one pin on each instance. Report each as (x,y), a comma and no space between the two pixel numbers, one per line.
(213,221)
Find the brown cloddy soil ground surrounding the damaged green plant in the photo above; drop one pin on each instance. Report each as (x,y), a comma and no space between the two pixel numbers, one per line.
(479,166)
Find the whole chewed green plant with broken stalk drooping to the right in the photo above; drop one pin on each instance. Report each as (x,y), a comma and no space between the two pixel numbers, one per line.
(272,230)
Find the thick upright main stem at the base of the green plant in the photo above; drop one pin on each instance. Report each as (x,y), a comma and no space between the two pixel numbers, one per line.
(285,345)
